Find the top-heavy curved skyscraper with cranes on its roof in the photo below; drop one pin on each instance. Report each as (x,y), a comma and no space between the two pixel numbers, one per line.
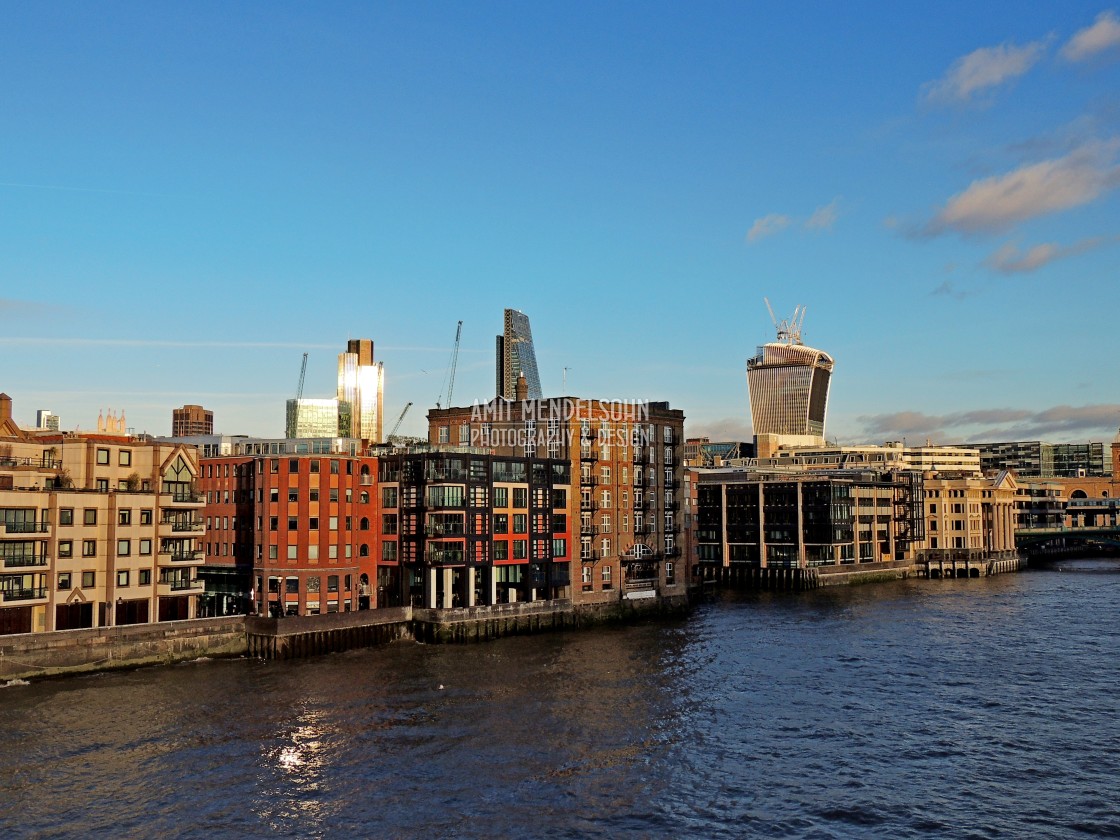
(789,386)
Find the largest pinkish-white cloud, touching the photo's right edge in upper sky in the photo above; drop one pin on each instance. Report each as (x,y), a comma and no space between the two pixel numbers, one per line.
(1051,186)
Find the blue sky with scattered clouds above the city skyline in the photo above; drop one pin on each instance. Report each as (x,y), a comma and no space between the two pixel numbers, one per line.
(192,195)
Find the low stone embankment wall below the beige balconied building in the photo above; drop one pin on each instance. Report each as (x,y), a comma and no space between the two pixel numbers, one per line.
(101,649)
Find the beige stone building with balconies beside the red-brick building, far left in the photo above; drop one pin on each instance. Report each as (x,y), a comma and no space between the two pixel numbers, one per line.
(96,528)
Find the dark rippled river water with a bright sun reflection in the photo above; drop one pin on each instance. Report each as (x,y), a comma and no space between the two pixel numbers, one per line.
(974,708)
